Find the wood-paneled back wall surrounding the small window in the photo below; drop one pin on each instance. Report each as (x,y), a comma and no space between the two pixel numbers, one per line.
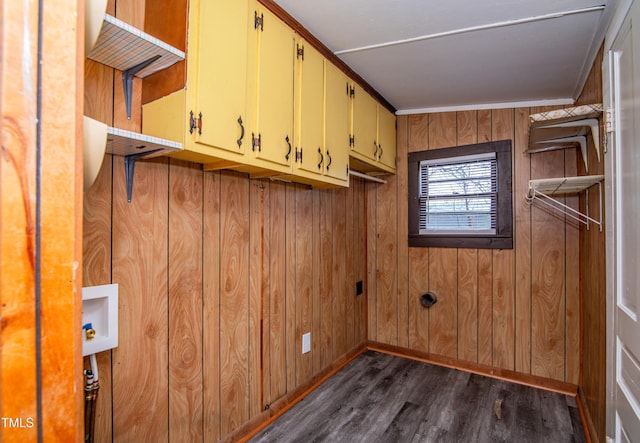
(514,309)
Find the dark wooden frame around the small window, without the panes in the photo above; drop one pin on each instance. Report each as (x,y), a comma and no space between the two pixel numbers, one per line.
(503,238)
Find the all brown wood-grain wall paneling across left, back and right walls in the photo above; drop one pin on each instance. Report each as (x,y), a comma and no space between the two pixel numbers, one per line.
(220,275)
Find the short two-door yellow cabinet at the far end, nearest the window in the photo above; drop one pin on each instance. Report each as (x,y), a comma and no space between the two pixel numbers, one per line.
(373,134)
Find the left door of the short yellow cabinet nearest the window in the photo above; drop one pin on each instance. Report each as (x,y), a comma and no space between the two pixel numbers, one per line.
(364,124)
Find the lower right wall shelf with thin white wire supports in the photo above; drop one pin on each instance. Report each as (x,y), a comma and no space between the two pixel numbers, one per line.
(541,190)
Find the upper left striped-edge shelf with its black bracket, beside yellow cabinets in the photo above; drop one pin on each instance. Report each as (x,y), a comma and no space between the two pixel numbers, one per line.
(132,51)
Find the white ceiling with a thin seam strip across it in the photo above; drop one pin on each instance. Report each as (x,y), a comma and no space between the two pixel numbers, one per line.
(431,55)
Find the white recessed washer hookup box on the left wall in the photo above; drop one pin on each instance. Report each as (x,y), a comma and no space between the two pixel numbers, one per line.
(100,315)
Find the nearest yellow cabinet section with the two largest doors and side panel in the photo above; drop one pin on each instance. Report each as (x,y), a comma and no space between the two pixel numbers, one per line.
(236,111)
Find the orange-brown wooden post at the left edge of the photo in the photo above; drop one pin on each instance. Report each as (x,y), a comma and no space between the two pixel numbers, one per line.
(40,221)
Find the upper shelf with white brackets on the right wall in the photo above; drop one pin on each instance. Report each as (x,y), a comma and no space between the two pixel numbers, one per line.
(566,128)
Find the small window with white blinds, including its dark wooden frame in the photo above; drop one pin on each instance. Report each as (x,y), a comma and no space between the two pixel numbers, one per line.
(461,196)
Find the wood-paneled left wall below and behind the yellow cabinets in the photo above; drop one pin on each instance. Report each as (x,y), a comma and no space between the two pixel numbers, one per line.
(219,276)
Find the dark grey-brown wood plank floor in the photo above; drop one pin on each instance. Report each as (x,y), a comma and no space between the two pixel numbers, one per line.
(383,398)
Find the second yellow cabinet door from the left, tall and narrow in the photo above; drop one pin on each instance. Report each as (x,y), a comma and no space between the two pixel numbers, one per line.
(274,88)
